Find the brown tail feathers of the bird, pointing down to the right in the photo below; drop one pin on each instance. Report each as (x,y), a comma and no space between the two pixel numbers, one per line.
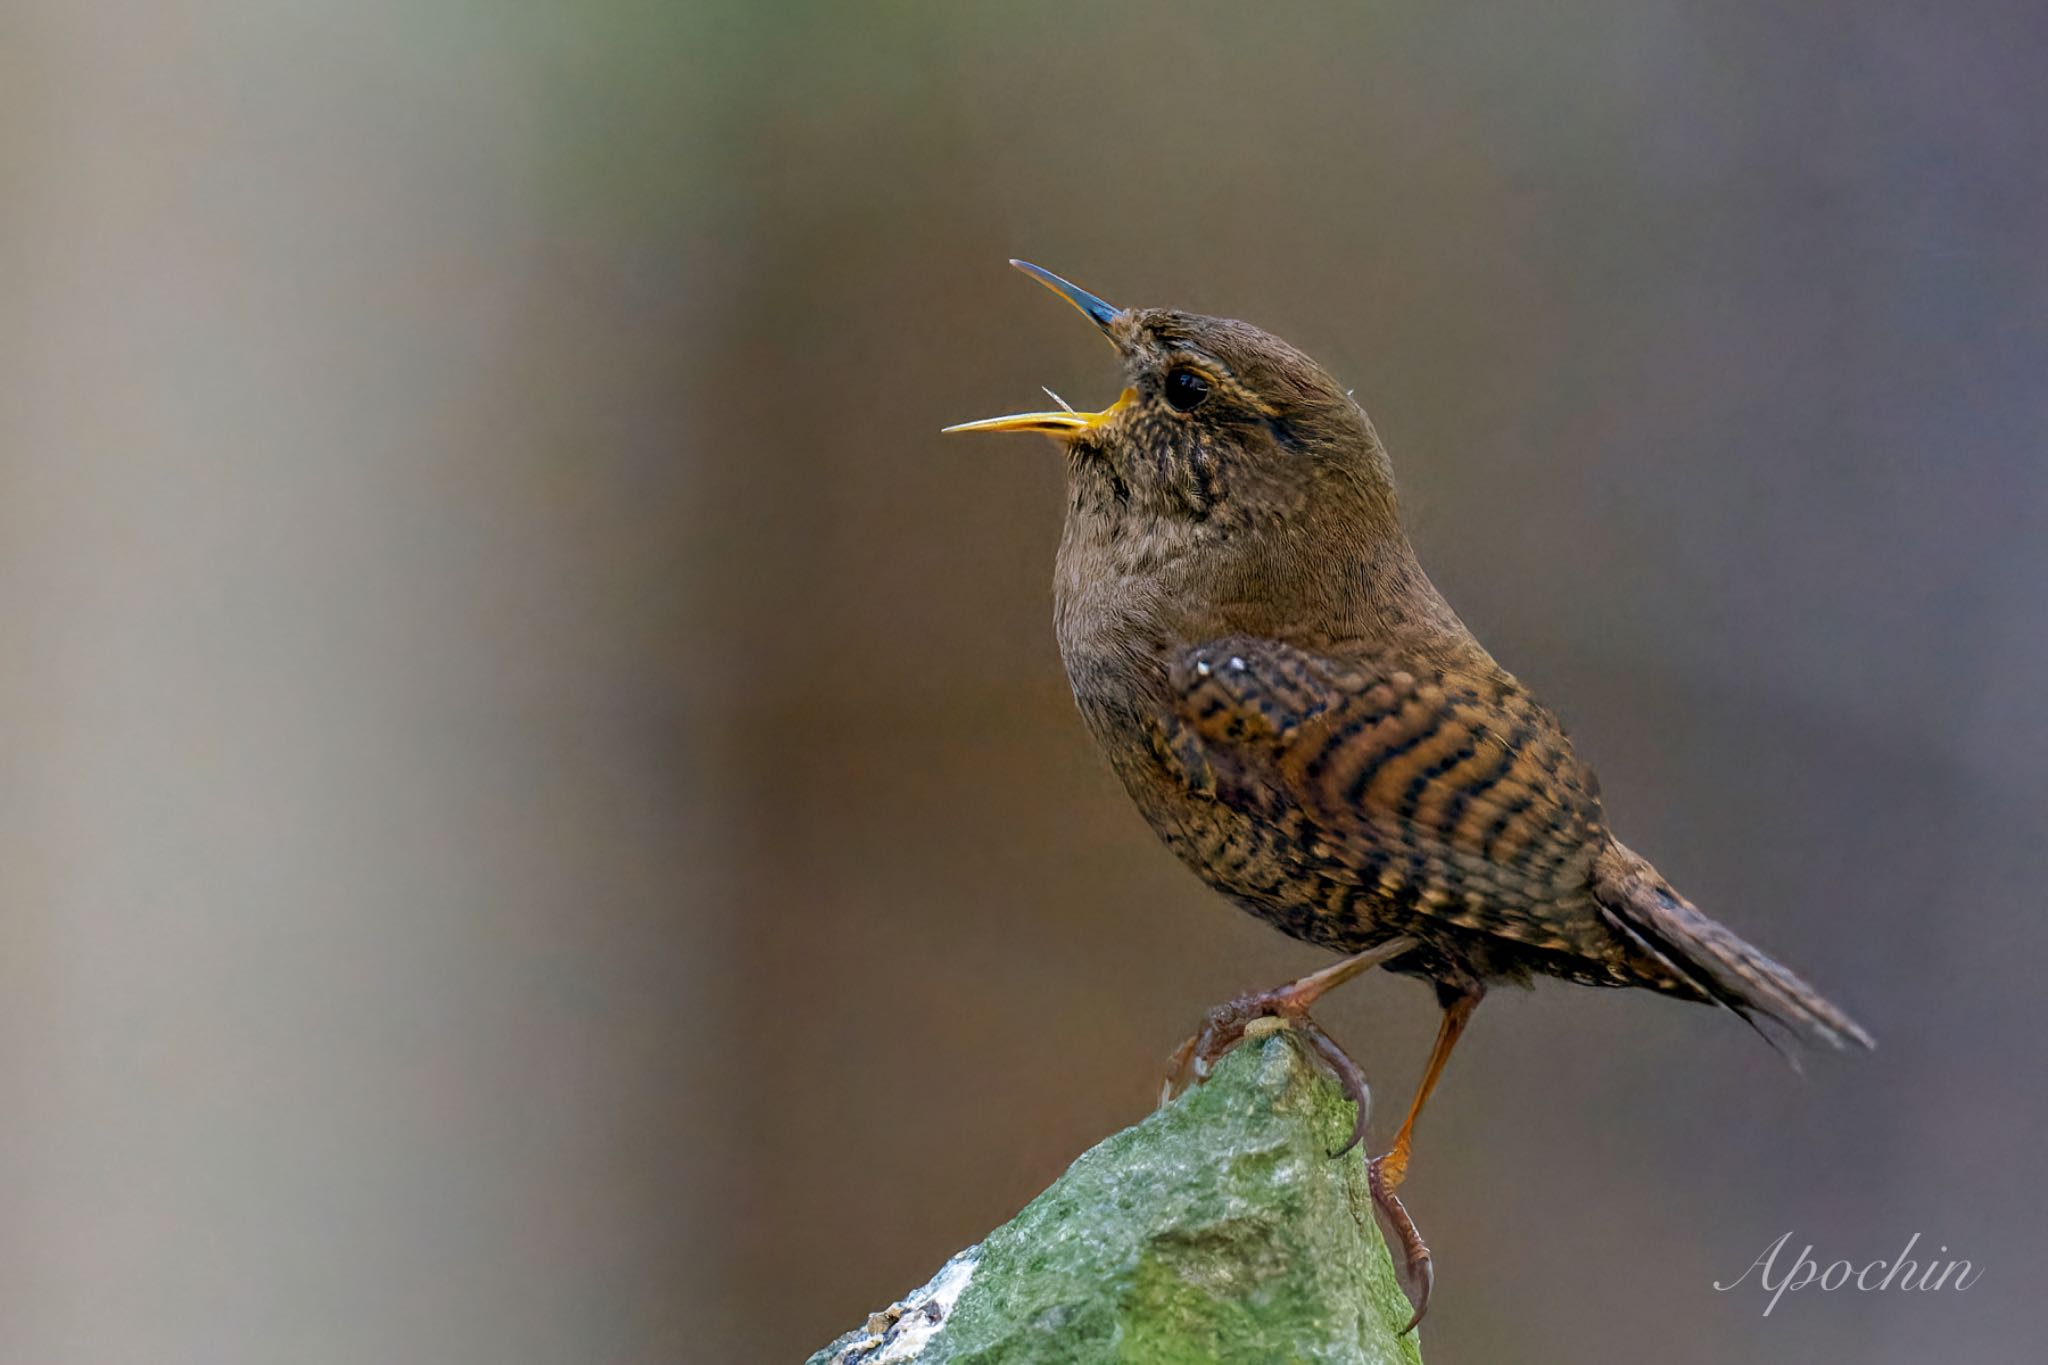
(1711,961)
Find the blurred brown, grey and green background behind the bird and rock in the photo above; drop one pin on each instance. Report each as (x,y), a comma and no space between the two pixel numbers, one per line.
(542,818)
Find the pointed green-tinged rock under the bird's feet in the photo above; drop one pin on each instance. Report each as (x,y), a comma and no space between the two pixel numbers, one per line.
(1215,1231)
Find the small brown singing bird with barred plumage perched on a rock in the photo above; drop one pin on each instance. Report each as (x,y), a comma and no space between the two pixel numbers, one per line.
(1304,719)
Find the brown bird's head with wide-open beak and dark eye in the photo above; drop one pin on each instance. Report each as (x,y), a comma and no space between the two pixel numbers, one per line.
(1220,425)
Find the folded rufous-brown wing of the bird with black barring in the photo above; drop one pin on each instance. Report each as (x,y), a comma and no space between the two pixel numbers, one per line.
(1451,797)
